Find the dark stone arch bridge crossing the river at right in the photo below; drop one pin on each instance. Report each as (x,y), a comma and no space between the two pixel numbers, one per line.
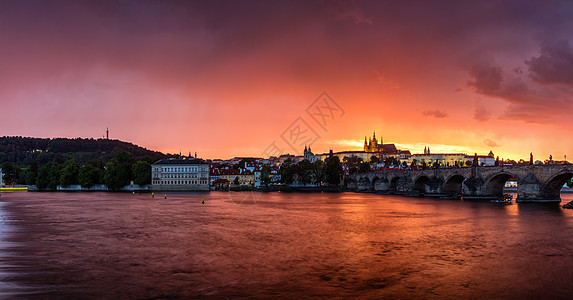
(535,183)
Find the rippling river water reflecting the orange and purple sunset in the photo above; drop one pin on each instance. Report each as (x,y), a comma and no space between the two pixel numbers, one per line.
(280,245)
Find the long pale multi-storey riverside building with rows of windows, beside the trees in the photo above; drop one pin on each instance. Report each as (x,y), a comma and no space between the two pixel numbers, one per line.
(182,174)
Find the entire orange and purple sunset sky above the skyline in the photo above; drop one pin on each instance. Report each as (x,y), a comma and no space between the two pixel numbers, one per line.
(260,78)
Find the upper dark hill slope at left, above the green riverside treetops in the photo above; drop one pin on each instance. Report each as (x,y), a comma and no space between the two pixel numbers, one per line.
(28,150)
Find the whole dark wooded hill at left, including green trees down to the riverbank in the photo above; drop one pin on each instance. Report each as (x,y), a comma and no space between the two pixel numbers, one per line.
(48,163)
